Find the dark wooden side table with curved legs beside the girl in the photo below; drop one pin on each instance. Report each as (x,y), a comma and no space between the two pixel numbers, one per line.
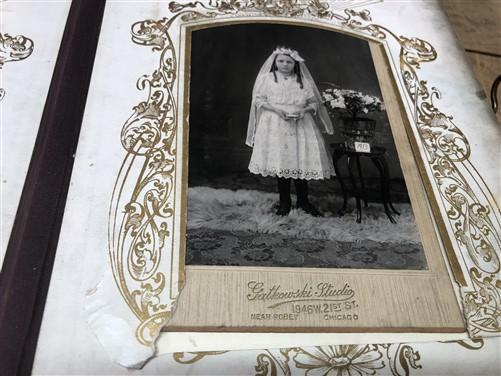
(378,157)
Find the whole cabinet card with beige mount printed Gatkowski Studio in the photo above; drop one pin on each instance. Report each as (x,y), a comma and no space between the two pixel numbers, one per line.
(304,205)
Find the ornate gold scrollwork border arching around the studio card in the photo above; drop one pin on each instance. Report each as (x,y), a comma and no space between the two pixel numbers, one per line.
(141,222)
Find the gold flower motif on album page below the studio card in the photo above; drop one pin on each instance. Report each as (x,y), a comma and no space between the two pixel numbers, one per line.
(344,360)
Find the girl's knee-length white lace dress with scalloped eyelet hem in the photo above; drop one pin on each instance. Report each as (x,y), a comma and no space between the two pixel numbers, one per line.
(288,148)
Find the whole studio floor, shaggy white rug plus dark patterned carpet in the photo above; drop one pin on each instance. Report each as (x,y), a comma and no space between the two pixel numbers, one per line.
(239,228)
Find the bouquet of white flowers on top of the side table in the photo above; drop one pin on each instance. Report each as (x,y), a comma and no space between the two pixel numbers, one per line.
(350,101)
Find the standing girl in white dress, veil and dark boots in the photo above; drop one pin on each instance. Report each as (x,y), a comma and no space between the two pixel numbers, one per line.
(285,124)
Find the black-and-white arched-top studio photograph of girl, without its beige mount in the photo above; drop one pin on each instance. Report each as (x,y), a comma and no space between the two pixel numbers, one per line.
(292,162)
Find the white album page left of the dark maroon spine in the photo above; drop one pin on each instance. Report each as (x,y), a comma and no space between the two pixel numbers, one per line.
(26,83)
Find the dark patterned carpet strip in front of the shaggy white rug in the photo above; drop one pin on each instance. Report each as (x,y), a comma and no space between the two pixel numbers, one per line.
(213,247)
